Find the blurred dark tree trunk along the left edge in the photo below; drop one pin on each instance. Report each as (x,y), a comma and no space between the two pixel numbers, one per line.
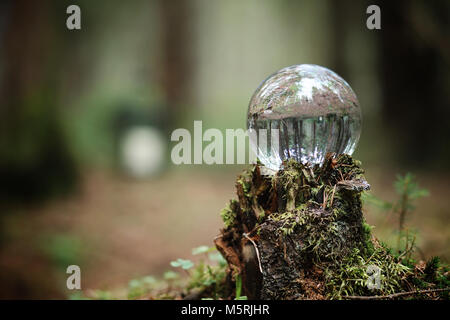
(34,160)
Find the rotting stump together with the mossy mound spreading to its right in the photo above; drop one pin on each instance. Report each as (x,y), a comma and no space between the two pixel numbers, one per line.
(301,234)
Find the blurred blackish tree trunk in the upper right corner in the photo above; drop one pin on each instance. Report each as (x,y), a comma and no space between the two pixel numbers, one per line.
(415,60)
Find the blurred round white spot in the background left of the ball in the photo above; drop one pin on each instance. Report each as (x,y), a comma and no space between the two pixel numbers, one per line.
(143,151)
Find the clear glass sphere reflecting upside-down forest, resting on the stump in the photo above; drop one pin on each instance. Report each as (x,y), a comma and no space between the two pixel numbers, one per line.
(303,112)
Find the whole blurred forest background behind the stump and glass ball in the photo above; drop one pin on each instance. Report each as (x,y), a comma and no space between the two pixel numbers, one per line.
(70,194)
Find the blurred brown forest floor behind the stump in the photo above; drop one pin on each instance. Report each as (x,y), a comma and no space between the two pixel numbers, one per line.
(118,229)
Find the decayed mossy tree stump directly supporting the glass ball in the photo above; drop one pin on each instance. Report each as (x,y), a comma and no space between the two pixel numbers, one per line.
(285,229)
